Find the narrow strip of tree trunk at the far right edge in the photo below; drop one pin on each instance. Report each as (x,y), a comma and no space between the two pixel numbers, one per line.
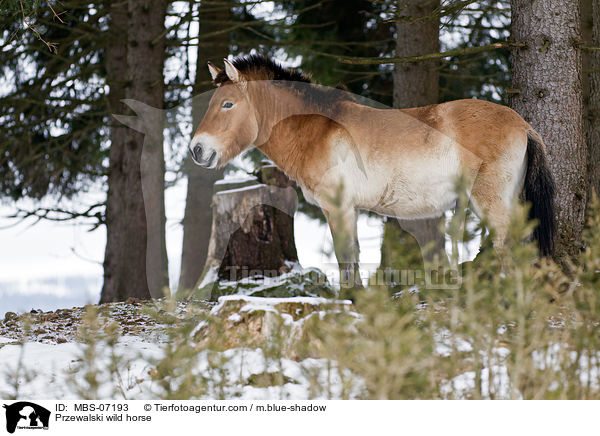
(591,67)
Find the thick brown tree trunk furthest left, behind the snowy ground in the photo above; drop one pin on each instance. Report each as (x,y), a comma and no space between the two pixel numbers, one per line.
(135,258)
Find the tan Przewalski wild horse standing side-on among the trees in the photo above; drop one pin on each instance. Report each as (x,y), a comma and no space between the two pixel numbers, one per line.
(397,162)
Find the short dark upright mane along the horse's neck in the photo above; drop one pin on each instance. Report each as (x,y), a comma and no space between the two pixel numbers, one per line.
(259,67)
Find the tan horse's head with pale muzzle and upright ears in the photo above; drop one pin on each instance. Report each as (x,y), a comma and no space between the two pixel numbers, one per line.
(230,124)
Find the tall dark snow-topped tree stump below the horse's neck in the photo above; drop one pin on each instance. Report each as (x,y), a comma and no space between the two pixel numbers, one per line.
(252,228)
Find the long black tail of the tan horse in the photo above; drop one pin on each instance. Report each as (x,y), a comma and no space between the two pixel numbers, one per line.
(539,191)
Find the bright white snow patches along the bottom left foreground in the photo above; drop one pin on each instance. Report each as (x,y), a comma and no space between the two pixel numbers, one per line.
(55,372)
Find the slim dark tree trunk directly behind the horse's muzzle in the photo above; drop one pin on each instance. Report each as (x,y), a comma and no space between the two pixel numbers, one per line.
(198,213)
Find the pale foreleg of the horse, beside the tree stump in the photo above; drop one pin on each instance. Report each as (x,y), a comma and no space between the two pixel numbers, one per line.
(342,223)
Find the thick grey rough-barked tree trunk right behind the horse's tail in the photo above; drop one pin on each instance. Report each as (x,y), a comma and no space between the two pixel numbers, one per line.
(547,75)
